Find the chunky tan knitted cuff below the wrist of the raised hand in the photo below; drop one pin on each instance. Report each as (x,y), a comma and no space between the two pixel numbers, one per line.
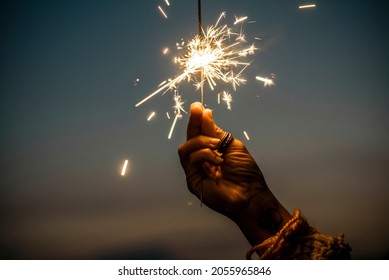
(298,240)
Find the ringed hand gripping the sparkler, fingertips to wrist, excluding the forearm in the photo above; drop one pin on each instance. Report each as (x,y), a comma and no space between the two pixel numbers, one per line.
(224,182)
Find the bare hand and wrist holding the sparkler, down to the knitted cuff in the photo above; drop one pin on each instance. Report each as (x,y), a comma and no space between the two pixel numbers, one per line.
(231,182)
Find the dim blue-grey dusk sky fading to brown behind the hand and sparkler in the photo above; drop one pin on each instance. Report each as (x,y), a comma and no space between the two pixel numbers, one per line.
(68,72)
